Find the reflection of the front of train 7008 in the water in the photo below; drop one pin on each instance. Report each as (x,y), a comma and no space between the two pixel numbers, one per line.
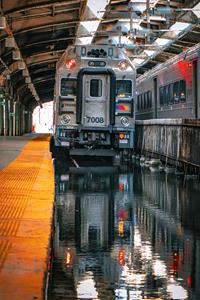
(88,211)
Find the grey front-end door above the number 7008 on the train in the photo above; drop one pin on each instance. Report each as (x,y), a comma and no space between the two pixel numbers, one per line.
(96,100)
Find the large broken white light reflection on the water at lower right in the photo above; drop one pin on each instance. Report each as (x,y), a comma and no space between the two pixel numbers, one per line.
(133,283)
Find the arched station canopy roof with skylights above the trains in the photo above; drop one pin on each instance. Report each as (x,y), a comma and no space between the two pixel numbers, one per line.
(35,33)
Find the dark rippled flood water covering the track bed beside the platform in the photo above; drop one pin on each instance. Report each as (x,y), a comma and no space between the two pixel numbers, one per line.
(125,234)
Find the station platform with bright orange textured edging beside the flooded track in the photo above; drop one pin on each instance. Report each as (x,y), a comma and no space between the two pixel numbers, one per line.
(26,204)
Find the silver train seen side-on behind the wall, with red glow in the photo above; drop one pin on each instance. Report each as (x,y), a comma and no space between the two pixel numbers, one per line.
(171,89)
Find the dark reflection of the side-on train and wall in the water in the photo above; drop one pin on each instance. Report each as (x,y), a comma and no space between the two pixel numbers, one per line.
(171,224)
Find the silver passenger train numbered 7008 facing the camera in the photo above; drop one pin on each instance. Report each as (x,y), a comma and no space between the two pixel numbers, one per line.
(94,102)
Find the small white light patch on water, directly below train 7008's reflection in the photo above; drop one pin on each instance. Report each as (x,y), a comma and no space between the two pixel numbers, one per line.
(86,288)
